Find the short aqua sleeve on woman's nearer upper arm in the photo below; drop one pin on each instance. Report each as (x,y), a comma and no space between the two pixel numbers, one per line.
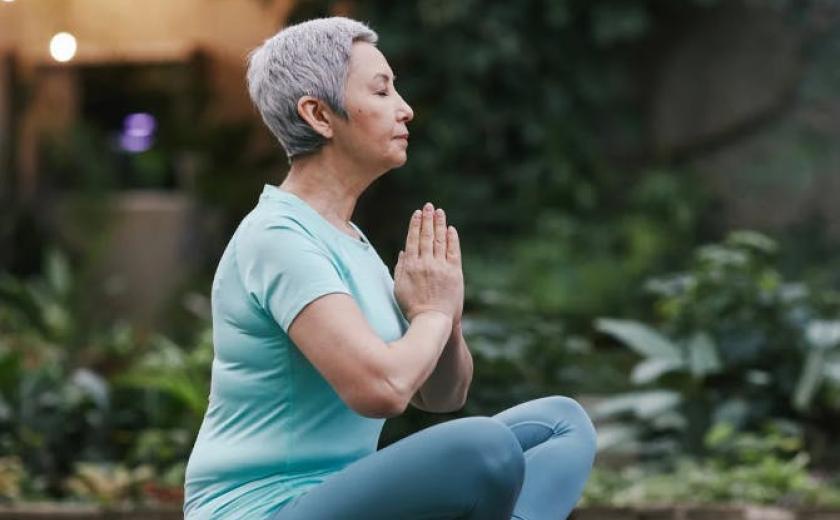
(284,270)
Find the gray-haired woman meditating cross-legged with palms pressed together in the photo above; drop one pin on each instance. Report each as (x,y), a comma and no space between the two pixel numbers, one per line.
(315,343)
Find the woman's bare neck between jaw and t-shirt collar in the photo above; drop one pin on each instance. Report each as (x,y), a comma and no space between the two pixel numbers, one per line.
(329,184)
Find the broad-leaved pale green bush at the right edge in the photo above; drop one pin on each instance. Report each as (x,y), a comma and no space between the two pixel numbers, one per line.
(735,342)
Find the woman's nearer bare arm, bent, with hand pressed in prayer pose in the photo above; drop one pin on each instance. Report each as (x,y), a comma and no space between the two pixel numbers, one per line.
(378,380)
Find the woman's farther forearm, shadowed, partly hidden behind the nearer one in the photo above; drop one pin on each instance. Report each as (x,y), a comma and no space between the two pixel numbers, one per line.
(446,388)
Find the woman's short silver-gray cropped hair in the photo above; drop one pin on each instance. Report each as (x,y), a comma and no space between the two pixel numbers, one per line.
(307,59)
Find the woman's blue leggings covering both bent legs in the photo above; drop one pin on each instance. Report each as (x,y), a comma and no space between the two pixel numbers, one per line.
(529,462)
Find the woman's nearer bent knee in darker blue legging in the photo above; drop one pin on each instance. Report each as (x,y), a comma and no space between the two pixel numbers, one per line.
(490,453)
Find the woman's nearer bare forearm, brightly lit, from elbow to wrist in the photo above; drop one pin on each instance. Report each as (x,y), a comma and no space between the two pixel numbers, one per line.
(411,359)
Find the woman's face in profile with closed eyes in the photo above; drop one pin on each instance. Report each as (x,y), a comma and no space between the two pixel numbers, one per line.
(375,133)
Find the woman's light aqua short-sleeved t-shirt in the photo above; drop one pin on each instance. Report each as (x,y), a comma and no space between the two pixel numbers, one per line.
(274,427)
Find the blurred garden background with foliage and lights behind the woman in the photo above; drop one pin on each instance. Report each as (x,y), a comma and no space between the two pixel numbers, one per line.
(646,192)
